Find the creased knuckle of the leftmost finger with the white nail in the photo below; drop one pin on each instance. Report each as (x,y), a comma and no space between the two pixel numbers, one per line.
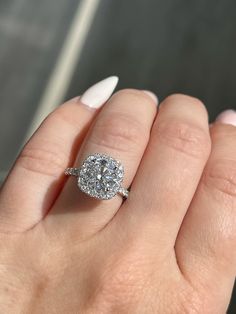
(49,162)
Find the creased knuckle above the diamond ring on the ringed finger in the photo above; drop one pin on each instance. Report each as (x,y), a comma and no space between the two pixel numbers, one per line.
(118,132)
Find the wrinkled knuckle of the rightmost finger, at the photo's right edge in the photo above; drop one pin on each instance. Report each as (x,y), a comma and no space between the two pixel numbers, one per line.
(221,176)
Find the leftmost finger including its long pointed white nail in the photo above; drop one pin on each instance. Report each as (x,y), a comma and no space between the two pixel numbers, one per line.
(38,174)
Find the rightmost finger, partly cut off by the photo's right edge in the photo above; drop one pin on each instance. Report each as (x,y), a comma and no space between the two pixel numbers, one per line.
(206,245)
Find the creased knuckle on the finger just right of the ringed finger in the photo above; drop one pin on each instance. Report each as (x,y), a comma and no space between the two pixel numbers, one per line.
(183,137)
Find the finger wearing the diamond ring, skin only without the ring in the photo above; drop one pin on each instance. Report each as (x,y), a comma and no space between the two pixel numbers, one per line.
(121,131)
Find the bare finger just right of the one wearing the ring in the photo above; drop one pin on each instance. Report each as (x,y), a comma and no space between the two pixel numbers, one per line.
(169,172)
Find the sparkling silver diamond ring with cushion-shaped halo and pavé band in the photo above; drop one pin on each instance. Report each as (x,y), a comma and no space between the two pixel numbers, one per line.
(100,176)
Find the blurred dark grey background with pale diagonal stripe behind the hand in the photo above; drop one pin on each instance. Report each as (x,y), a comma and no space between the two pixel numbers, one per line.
(51,50)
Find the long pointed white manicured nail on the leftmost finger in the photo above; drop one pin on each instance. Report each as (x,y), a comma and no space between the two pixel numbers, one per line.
(98,94)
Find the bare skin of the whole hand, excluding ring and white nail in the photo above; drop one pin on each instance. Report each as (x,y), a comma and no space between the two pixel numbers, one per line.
(169,248)
